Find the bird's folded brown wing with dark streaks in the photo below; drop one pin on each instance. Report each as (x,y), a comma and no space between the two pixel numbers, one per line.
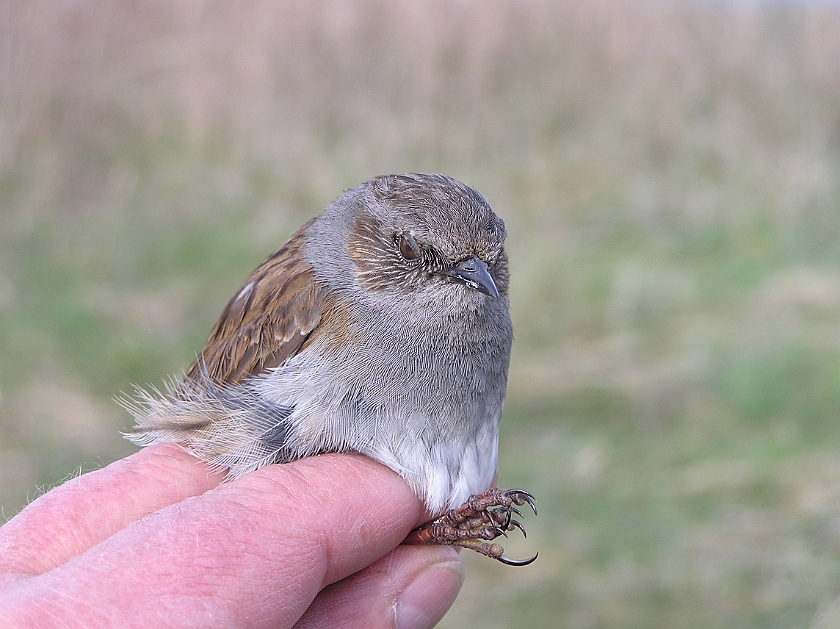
(267,320)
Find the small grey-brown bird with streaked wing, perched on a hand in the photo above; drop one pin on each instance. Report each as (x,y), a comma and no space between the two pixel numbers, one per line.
(381,327)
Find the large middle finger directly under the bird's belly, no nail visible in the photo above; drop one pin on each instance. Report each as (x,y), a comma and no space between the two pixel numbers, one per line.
(254,551)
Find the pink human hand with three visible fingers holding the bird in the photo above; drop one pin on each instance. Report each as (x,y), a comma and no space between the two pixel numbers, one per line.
(156,540)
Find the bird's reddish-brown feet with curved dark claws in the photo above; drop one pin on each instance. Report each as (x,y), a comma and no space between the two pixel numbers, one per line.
(481,519)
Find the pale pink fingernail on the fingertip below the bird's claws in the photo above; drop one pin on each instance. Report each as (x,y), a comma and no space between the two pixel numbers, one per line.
(429,596)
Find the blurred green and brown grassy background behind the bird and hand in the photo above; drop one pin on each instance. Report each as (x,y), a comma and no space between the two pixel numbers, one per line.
(670,176)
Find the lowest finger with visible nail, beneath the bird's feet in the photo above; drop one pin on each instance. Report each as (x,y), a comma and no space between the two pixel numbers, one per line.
(410,588)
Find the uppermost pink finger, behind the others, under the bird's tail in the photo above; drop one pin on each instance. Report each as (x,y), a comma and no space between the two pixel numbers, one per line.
(70,519)
